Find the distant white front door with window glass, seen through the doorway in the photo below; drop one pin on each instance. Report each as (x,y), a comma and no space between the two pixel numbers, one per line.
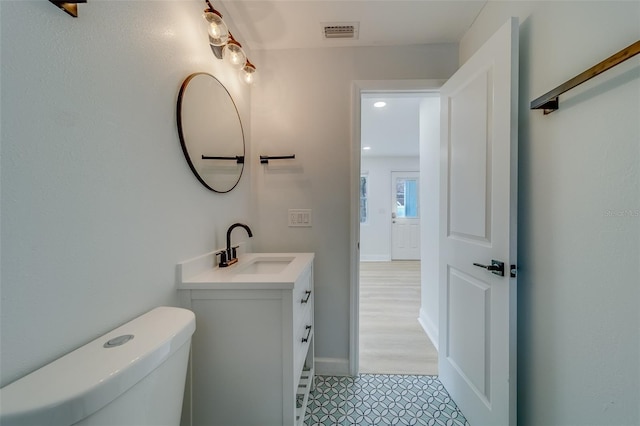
(405,216)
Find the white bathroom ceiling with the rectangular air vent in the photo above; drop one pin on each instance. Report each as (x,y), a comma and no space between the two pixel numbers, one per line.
(291,24)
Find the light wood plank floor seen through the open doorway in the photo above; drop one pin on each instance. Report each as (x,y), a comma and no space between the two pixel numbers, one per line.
(392,340)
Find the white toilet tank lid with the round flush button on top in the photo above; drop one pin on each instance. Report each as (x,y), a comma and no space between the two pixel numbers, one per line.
(85,380)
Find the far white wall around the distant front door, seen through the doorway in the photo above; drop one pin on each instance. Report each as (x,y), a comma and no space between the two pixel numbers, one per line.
(375,235)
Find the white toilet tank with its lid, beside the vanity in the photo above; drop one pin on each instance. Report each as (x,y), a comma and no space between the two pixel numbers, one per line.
(133,375)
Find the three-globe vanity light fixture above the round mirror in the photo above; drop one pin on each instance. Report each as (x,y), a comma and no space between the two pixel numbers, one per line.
(227,48)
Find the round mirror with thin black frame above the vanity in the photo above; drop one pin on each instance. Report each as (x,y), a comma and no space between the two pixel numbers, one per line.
(210,132)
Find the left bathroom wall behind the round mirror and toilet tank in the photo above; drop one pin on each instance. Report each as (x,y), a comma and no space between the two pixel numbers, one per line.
(98,203)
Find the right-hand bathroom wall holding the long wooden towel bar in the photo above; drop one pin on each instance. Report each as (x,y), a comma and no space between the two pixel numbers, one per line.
(579,213)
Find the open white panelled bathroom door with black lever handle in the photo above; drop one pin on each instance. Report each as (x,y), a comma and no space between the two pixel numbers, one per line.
(477,358)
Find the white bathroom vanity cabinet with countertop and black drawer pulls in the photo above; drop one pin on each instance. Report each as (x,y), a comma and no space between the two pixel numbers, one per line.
(252,359)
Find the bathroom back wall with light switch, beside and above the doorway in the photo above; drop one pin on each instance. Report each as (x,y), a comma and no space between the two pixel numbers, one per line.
(304,107)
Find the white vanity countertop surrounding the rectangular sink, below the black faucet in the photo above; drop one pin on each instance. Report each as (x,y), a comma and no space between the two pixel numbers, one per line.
(202,273)
